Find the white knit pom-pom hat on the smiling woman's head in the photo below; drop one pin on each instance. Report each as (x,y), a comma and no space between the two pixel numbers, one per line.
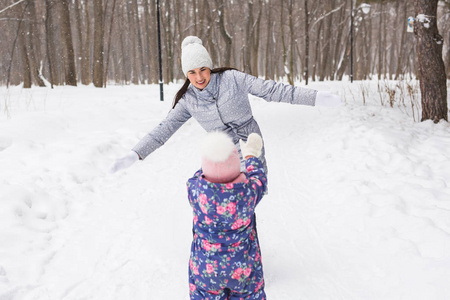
(194,55)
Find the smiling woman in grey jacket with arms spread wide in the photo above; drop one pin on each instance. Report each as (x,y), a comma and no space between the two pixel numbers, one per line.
(218,100)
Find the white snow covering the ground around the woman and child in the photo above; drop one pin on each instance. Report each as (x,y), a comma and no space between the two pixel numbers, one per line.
(358,208)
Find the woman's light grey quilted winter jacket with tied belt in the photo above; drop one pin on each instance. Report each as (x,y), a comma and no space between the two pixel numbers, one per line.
(224,106)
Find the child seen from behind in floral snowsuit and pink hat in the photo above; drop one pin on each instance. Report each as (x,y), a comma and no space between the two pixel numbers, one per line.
(225,260)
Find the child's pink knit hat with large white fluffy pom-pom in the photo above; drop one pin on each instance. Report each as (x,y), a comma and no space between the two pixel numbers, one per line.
(220,158)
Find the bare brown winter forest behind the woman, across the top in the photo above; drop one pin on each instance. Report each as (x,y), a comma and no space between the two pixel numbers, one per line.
(115,41)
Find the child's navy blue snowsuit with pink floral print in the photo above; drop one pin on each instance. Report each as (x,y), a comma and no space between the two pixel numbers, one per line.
(225,258)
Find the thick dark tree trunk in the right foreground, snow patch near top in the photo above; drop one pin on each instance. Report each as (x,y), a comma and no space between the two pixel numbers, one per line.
(433,83)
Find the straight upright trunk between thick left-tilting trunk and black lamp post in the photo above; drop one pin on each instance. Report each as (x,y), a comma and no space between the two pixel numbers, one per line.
(98,43)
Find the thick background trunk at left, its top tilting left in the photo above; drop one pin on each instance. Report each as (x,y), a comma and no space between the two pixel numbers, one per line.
(70,72)
